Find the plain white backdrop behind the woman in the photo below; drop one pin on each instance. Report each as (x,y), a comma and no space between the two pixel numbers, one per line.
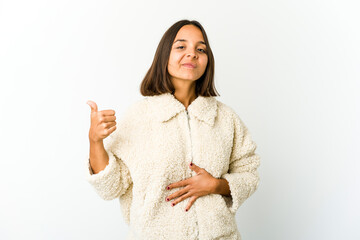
(290,69)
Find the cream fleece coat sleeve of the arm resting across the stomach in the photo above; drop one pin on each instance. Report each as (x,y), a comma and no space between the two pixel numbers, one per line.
(242,176)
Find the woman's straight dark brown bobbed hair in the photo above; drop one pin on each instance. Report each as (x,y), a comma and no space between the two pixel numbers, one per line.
(157,79)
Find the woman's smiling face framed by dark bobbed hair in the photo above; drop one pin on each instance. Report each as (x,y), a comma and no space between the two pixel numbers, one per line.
(188,57)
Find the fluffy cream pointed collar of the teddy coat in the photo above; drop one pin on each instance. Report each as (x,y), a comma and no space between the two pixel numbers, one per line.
(166,106)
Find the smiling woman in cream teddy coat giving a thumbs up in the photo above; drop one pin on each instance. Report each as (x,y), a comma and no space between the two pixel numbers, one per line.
(180,161)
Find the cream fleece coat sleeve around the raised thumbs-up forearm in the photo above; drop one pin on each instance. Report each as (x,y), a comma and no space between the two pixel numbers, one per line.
(113,181)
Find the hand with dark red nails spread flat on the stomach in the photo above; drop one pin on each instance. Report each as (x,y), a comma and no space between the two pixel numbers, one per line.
(199,185)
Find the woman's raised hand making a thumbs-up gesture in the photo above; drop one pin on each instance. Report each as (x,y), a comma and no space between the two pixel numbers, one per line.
(102,123)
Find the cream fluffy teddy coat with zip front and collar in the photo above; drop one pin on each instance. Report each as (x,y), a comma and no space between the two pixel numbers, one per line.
(152,147)
